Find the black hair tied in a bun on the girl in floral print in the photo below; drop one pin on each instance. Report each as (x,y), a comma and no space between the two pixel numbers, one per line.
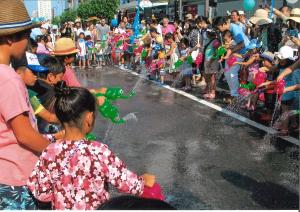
(71,103)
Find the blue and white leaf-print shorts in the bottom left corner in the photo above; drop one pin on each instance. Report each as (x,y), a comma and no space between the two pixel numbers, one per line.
(16,198)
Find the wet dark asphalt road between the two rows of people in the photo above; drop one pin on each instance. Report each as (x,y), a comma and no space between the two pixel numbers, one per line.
(202,158)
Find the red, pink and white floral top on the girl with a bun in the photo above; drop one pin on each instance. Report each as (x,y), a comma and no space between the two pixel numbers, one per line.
(72,175)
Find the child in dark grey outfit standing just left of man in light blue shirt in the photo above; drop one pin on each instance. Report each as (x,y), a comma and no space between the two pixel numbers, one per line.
(211,65)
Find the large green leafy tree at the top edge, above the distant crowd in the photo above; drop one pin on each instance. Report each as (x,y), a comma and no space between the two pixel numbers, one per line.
(99,8)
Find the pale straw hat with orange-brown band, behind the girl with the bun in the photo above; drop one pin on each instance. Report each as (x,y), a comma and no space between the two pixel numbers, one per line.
(65,46)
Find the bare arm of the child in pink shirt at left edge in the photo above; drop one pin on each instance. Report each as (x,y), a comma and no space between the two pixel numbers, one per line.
(26,134)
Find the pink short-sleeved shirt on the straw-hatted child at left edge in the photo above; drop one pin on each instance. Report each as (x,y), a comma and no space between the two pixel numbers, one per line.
(17,161)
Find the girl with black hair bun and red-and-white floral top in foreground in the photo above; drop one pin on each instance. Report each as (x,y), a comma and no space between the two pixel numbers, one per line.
(72,173)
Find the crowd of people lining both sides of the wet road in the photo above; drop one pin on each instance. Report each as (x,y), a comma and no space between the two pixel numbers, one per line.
(46,113)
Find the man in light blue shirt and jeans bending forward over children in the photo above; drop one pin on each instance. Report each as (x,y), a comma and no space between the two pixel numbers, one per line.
(222,24)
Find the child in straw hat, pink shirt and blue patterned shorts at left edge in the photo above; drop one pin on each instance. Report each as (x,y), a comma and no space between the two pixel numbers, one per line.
(20,141)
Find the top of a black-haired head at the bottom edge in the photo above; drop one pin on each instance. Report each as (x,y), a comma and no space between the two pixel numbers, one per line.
(128,202)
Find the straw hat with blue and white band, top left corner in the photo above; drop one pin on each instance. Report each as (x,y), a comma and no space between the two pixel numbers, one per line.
(14,17)
